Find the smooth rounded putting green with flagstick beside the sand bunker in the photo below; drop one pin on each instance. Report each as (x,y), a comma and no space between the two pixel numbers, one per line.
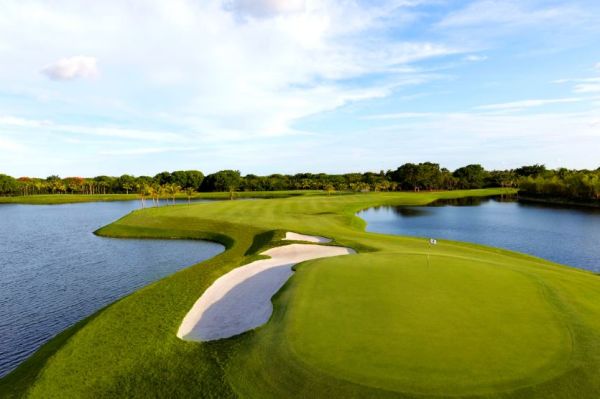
(446,326)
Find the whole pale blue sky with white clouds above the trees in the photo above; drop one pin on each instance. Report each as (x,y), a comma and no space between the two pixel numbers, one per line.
(272,86)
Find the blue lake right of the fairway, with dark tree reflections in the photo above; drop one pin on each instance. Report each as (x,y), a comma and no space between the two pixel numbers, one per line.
(569,236)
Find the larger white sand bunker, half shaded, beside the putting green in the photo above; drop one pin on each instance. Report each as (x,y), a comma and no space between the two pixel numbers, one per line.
(241,299)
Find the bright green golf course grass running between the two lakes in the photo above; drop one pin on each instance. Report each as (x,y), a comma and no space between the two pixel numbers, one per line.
(395,317)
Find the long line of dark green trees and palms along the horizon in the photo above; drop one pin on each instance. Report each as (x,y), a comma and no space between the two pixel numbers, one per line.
(532,180)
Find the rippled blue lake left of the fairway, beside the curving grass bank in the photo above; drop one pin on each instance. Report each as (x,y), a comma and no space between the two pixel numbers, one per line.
(55,272)
